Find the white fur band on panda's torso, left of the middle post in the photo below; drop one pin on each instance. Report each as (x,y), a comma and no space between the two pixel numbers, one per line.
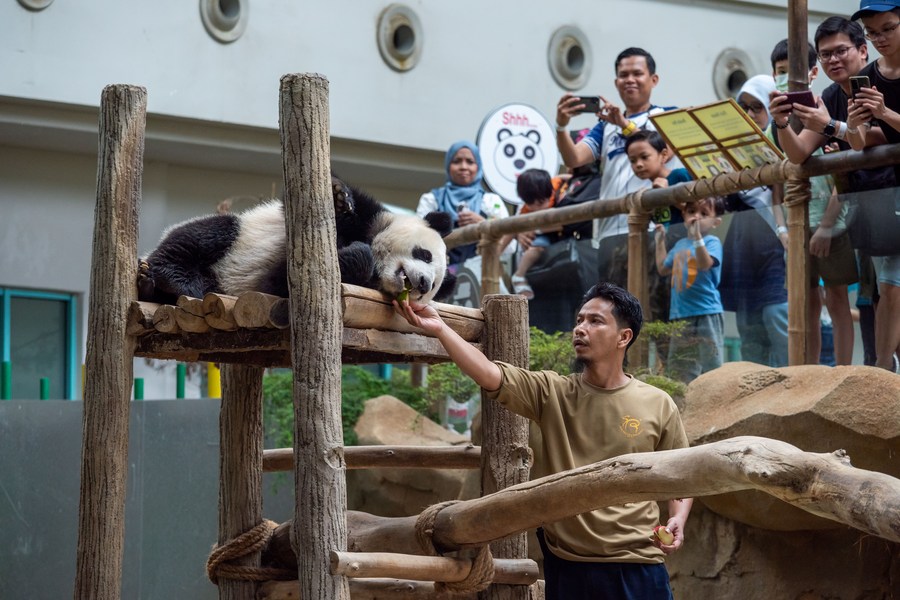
(258,248)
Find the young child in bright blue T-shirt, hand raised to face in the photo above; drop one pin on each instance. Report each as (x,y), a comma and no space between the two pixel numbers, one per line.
(695,264)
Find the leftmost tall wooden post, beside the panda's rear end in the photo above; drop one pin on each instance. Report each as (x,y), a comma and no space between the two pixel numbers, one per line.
(110,350)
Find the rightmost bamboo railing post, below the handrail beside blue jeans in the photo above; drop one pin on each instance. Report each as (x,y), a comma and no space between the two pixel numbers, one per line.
(796,203)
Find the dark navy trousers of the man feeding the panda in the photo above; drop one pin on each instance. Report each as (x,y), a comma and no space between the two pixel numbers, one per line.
(570,580)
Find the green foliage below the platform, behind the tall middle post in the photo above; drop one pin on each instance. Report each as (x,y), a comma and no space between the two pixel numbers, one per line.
(357,386)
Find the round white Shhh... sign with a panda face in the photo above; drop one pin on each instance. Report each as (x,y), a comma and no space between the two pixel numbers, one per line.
(511,139)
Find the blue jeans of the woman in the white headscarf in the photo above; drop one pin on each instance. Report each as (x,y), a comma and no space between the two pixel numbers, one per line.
(764,335)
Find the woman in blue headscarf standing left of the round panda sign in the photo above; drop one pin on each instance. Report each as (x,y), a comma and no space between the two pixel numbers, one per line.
(462,196)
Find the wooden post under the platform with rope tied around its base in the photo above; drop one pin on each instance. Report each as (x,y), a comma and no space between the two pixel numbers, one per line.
(240,472)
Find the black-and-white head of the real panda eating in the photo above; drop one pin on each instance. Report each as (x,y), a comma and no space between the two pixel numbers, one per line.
(410,248)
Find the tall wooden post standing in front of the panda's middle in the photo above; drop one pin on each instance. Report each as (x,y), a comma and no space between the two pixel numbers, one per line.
(314,282)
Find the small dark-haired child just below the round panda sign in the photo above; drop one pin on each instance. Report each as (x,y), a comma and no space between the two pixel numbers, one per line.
(535,188)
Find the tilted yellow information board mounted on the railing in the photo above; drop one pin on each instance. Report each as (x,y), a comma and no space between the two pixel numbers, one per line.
(715,138)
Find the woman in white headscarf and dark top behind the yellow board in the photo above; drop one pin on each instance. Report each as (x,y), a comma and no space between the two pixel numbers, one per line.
(753,268)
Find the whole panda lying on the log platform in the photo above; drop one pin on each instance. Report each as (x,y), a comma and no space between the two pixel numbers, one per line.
(236,253)
